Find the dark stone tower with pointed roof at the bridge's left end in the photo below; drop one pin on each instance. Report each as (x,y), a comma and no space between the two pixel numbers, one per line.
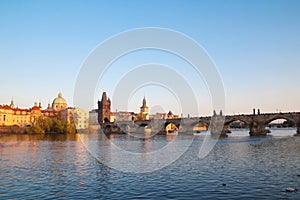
(104,109)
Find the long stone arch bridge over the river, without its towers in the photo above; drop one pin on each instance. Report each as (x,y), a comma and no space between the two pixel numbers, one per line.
(217,124)
